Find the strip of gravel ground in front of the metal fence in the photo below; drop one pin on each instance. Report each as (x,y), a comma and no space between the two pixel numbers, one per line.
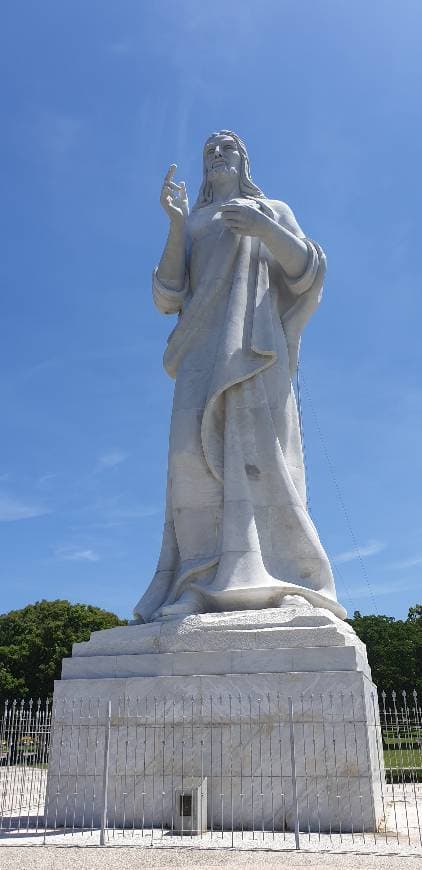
(69,858)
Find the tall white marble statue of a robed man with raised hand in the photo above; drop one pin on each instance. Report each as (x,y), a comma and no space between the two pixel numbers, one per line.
(243,279)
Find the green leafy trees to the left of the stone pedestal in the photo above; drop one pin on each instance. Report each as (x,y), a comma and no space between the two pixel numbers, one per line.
(34,640)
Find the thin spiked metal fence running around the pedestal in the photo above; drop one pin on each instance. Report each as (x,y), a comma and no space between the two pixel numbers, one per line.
(228,770)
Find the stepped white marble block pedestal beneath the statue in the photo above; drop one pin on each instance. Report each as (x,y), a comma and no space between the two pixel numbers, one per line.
(207,698)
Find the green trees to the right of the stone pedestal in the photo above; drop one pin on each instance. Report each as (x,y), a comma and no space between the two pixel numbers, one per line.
(394,649)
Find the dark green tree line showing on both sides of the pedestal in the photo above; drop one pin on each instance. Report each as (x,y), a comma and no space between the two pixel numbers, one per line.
(35,639)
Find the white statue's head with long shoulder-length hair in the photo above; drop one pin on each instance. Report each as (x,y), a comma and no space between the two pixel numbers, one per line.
(224,152)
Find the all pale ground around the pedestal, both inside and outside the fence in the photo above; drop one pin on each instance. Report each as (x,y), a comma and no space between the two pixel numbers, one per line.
(22,833)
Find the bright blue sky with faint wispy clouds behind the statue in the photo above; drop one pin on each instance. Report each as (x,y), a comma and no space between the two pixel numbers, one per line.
(98,98)
